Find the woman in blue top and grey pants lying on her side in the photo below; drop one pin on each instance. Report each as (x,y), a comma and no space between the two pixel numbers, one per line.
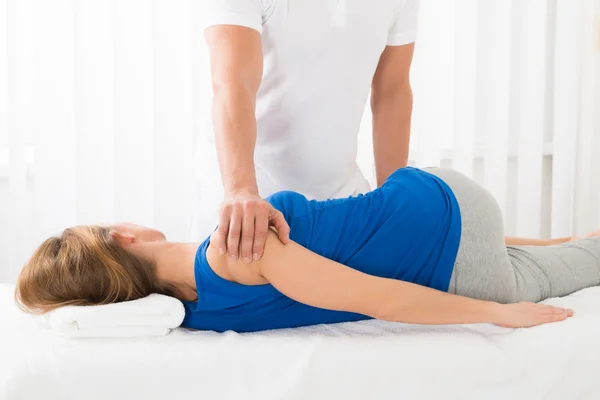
(425,248)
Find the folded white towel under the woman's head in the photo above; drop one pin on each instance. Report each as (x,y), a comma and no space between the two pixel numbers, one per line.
(151,316)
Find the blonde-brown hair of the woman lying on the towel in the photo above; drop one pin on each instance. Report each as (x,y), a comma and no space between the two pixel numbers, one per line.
(85,266)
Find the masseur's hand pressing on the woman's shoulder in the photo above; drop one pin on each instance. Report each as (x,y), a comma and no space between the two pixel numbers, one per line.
(244,220)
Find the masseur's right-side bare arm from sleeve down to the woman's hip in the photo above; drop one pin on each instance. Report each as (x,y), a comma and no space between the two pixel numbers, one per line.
(391,104)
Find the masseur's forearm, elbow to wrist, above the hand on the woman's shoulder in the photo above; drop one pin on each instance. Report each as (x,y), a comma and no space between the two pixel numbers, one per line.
(235,133)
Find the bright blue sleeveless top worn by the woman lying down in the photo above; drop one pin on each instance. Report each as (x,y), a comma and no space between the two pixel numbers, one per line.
(409,229)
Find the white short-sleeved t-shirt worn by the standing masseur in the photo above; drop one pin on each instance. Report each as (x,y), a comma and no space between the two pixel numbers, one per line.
(319,60)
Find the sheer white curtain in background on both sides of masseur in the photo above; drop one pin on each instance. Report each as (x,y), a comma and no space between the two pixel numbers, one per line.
(100,102)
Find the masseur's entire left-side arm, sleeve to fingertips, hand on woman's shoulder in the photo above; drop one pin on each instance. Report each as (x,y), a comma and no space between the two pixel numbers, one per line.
(244,217)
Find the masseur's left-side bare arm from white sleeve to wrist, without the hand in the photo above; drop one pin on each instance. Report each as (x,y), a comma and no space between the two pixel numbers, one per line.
(236,66)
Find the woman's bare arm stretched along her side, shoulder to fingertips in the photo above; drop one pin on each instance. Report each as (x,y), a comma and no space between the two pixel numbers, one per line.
(317,281)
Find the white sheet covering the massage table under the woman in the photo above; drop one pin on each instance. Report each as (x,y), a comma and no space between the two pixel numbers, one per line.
(365,360)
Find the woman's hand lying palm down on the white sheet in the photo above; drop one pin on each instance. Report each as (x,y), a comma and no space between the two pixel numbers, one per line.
(526,315)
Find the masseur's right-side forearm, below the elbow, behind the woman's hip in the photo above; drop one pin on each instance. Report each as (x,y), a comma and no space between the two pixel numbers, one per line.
(391,130)
